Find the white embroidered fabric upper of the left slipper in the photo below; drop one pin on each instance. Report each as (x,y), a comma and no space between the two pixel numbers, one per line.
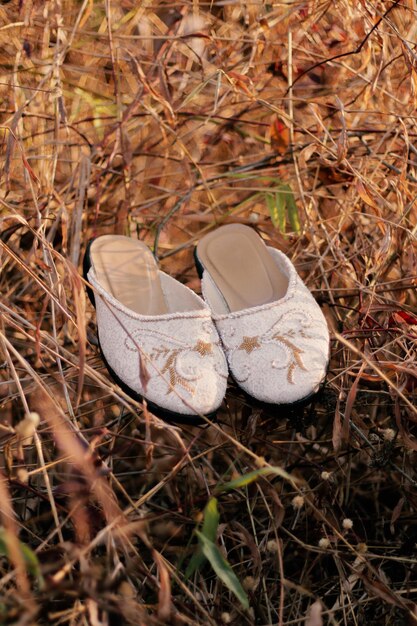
(180,350)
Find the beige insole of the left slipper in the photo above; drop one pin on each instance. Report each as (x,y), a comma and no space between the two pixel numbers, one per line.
(126,268)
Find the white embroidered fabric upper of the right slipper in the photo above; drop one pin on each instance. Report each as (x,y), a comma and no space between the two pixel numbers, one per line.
(277,352)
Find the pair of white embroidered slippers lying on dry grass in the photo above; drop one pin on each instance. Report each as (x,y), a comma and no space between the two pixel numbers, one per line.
(161,342)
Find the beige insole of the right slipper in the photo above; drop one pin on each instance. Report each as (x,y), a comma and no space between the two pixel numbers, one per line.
(242,268)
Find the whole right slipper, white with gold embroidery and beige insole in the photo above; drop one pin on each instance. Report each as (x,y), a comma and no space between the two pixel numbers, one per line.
(274,334)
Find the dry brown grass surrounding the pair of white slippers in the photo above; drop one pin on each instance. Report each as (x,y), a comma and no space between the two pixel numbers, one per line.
(162,121)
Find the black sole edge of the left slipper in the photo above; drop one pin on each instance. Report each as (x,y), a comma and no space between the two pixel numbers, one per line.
(166,414)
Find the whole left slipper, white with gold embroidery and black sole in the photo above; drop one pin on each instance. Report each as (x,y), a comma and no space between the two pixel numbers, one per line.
(156,336)
